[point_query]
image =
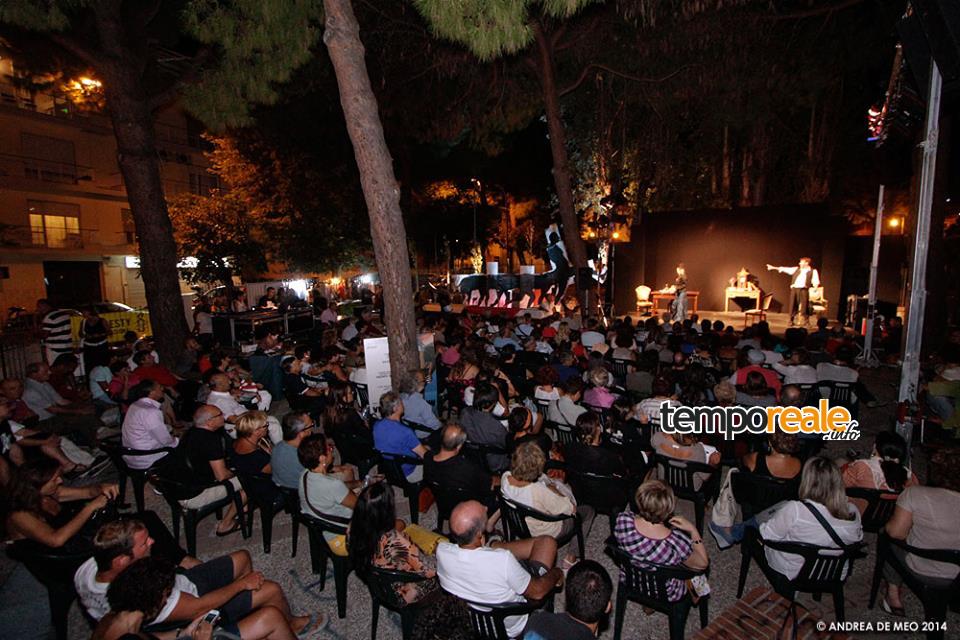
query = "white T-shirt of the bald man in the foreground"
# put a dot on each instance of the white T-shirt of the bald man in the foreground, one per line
(484, 575)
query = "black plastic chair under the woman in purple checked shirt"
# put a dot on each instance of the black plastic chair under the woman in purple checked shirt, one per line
(647, 586)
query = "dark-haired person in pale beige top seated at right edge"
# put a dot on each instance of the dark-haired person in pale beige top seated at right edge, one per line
(925, 518)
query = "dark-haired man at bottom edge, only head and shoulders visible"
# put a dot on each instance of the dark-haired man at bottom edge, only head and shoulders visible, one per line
(587, 597)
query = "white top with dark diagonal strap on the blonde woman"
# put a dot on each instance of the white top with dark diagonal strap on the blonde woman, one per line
(793, 522)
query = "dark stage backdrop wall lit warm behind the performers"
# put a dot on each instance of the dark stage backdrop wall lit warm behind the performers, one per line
(715, 244)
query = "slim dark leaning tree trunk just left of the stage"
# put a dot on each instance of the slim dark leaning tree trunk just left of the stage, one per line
(558, 149)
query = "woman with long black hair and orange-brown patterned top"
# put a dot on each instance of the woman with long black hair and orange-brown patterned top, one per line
(377, 539)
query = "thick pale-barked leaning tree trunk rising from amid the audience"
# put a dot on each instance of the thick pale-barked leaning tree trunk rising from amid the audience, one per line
(380, 189)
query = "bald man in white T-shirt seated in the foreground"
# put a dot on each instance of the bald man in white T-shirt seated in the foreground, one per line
(477, 572)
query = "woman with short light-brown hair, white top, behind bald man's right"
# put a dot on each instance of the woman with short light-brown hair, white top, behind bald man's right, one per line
(527, 484)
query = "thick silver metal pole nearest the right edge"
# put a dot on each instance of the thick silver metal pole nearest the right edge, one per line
(910, 371)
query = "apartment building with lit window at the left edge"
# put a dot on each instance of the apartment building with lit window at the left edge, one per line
(66, 232)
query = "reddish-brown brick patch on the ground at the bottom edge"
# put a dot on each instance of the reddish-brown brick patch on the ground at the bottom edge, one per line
(759, 615)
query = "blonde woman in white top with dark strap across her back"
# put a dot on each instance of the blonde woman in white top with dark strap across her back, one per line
(822, 489)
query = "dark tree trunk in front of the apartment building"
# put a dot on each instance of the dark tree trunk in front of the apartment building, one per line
(132, 120)
